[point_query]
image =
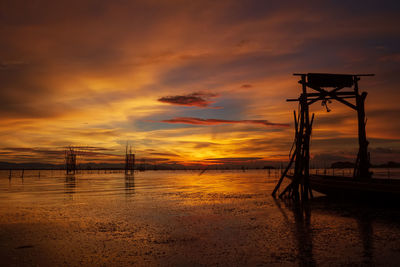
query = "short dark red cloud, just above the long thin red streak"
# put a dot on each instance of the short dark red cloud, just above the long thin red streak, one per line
(199, 99)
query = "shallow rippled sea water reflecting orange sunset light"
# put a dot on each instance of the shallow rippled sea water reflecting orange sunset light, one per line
(184, 218)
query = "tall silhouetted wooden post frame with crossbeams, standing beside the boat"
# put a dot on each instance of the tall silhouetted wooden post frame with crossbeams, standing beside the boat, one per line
(299, 186)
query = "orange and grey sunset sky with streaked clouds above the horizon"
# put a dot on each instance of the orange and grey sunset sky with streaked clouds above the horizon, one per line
(191, 81)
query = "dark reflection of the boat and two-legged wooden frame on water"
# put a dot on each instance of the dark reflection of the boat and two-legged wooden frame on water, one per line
(302, 227)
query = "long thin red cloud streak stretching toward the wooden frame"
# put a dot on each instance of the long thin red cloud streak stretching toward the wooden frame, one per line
(199, 121)
